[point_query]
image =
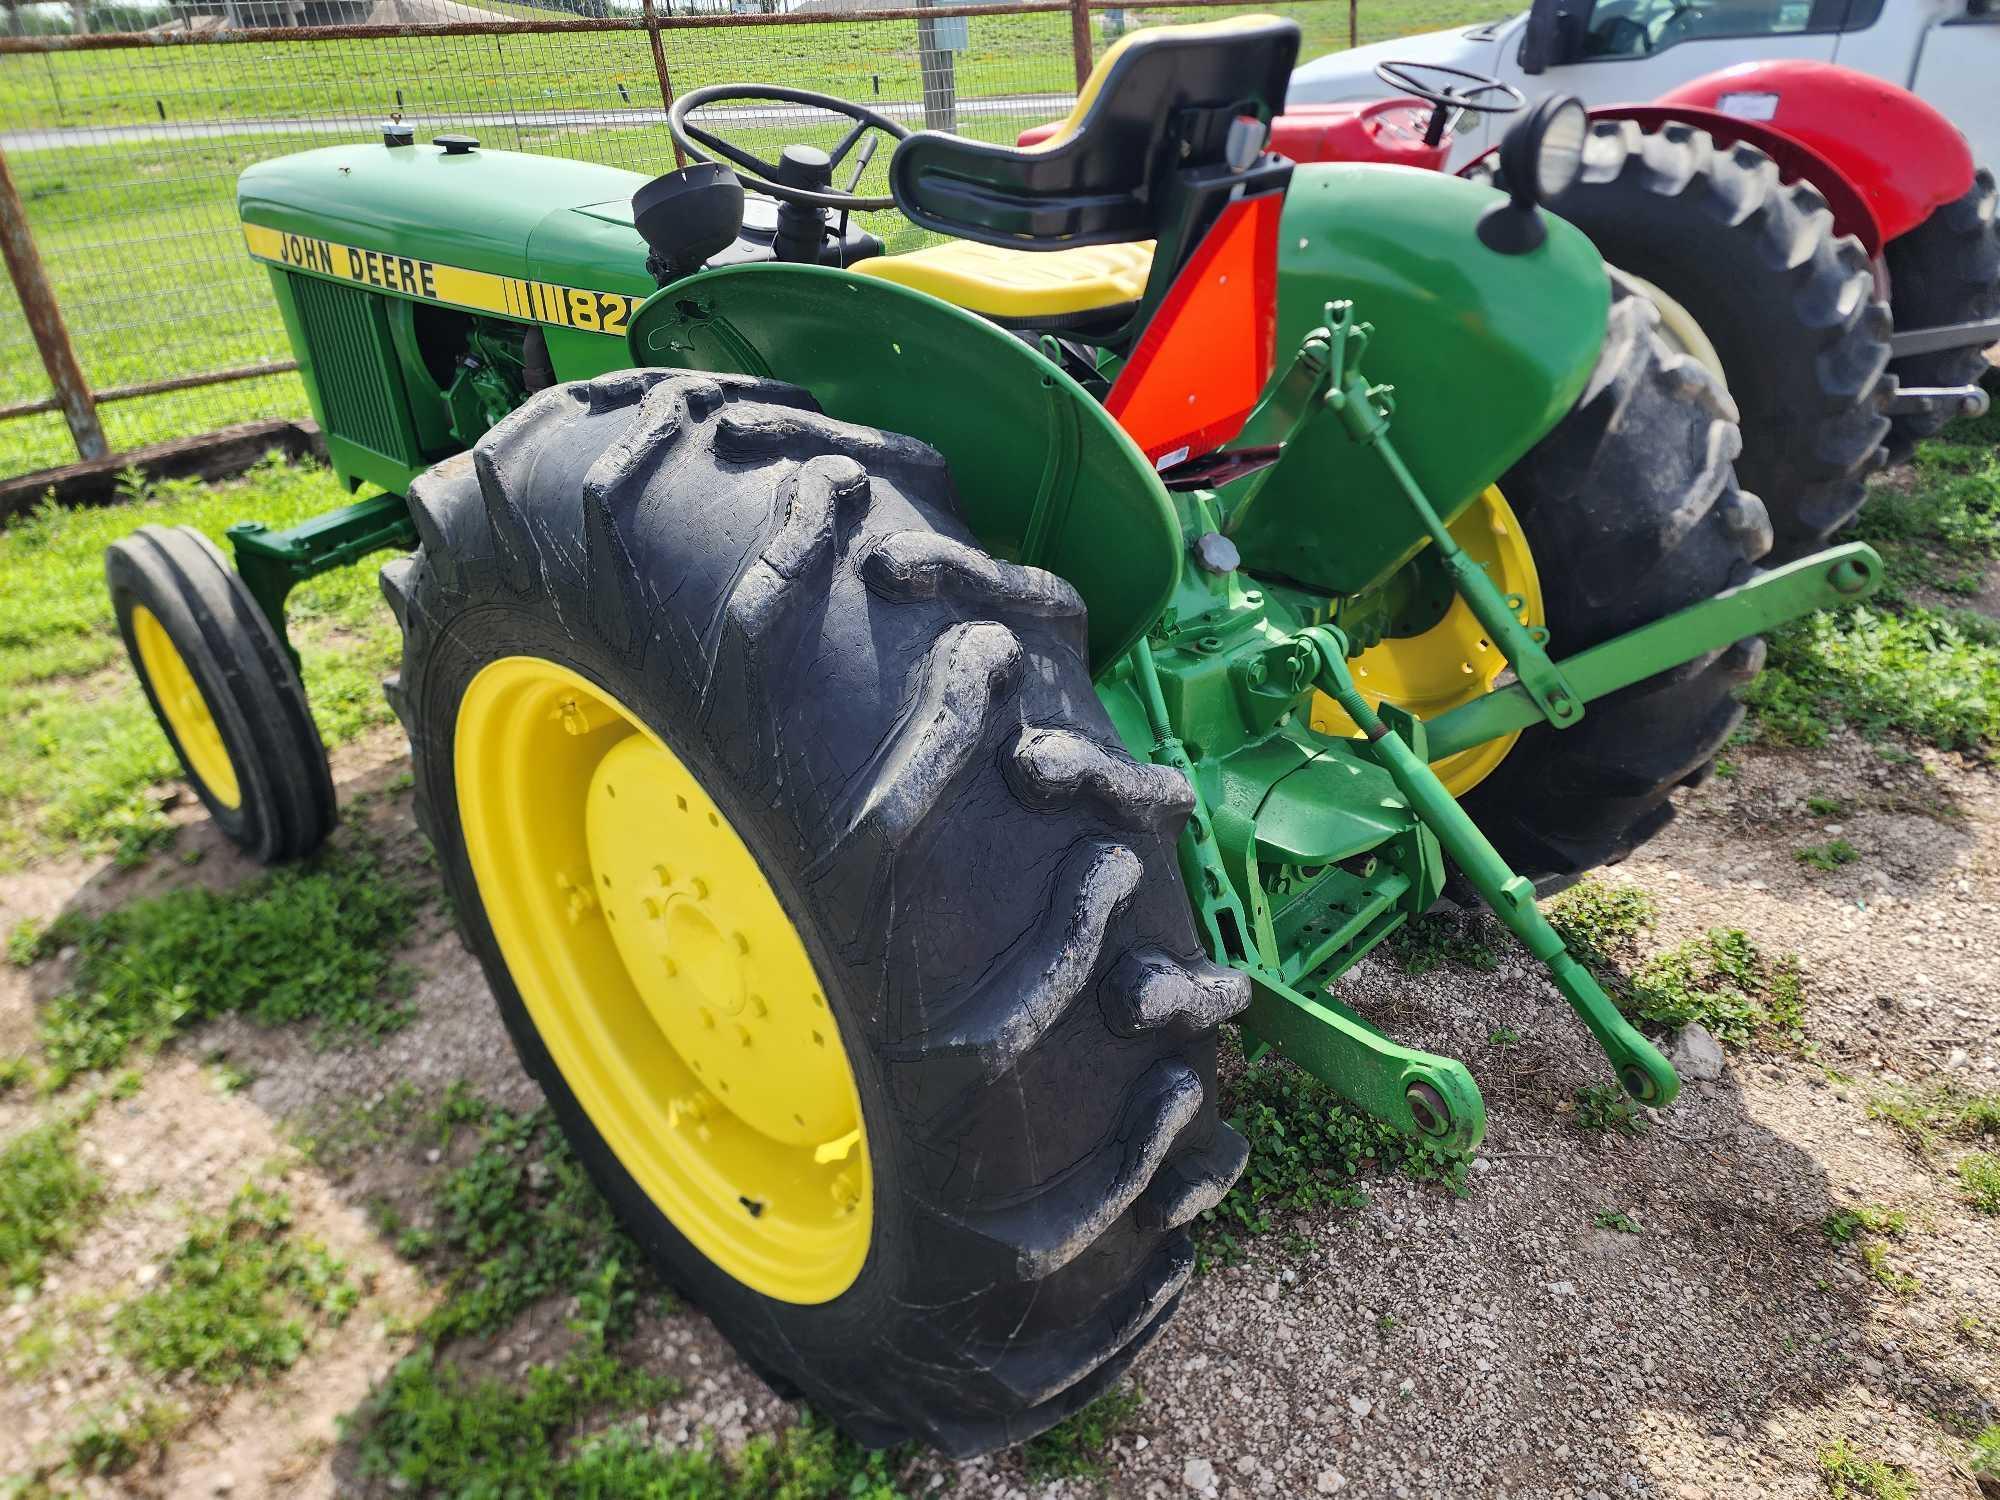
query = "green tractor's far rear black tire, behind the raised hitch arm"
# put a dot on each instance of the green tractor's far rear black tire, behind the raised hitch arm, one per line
(1631, 511)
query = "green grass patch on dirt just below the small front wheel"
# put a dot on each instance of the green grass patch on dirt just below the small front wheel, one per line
(307, 943)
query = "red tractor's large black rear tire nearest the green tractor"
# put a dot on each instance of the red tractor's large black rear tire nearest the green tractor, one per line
(1787, 305)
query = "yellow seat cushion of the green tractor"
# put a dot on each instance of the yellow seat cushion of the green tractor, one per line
(1001, 283)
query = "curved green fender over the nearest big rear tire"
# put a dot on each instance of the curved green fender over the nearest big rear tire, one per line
(1043, 473)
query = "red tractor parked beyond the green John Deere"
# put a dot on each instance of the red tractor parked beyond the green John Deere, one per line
(1813, 235)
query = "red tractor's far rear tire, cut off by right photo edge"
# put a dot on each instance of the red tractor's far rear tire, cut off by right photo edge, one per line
(1941, 273)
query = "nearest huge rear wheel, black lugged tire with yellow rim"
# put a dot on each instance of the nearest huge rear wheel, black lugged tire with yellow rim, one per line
(819, 895)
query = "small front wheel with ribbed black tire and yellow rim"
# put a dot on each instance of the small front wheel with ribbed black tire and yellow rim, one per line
(225, 691)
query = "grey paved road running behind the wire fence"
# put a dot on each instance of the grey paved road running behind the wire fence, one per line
(349, 127)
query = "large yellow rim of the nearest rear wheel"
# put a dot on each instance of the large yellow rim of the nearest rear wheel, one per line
(665, 979)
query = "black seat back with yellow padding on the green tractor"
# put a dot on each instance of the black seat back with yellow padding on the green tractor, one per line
(1095, 181)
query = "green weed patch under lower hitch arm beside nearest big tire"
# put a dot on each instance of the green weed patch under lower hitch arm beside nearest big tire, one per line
(1307, 1151)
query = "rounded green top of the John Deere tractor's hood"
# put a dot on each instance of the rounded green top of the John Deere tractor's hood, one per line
(485, 211)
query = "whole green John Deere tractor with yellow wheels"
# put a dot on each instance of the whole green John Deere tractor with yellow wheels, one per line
(865, 705)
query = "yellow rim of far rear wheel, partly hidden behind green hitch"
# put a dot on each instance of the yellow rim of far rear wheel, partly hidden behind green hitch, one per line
(1453, 663)
